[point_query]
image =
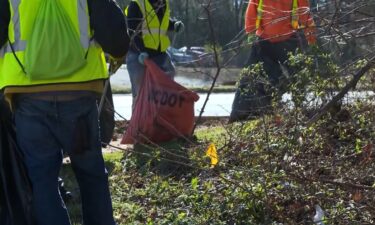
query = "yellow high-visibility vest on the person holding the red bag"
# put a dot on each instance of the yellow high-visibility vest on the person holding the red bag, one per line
(154, 31)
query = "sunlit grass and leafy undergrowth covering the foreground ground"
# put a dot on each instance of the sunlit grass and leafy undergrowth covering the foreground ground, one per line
(269, 172)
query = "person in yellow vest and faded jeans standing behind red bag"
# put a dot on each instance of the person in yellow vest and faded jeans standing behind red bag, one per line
(148, 24)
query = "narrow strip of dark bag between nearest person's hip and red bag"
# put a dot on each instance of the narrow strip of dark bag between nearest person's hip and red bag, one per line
(107, 118)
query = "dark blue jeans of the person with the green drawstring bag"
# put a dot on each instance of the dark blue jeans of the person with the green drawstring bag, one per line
(46, 129)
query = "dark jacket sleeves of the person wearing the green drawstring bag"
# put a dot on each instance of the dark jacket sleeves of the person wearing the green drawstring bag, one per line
(106, 19)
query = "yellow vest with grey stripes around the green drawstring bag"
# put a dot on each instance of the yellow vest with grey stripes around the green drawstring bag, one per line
(12, 54)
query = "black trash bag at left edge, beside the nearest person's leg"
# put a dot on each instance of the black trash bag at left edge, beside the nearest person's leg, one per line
(15, 187)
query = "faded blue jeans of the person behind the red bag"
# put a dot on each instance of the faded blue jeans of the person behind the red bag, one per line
(136, 70)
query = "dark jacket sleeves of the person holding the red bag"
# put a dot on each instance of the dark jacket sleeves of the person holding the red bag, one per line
(134, 20)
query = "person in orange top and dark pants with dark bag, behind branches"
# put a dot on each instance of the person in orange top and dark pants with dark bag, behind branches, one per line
(280, 27)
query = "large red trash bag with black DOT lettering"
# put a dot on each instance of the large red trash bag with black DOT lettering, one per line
(163, 109)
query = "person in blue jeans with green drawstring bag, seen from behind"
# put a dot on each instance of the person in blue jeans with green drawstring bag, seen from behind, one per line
(52, 70)
